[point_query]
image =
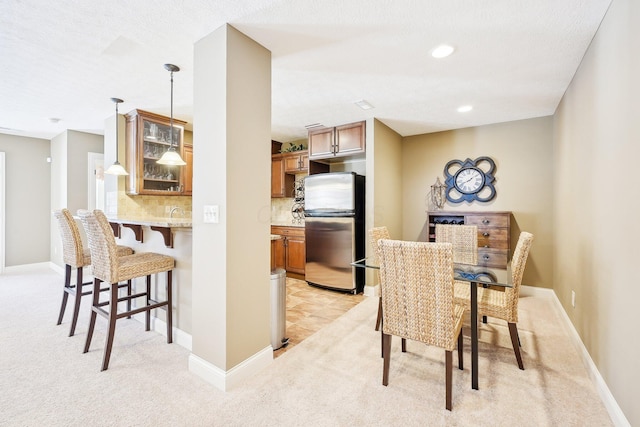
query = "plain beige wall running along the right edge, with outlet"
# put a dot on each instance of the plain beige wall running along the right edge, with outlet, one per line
(597, 201)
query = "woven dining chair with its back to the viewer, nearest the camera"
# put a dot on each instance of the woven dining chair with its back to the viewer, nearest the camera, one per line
(417, 300)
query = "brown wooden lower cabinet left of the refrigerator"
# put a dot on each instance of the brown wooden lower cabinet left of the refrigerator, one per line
(290, 251)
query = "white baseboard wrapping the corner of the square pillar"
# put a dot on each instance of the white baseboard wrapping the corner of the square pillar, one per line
(227, 380)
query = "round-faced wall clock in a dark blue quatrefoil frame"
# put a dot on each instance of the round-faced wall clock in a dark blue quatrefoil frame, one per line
(470, 180)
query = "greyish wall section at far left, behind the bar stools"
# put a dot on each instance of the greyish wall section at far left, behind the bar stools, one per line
(27, 199)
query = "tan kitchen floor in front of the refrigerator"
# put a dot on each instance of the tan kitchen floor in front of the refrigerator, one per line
(310, 308)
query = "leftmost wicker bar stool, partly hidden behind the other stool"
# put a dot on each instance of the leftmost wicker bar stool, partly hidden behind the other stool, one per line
(75, 255)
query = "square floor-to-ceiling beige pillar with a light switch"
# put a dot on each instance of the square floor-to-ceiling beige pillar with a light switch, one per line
(231, 262)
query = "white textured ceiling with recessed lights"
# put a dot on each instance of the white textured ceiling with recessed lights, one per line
(513, 60)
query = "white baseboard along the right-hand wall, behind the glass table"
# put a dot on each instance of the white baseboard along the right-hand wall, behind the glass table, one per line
(615, 412)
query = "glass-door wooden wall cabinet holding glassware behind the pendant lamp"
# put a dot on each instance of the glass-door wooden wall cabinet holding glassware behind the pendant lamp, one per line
(148, 137)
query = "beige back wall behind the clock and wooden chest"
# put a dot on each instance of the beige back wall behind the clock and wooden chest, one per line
(523, 153)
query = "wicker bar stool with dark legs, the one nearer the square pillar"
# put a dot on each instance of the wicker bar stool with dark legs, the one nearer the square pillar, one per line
(109, 268)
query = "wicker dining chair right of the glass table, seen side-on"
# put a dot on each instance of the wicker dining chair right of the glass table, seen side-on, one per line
(502, 304)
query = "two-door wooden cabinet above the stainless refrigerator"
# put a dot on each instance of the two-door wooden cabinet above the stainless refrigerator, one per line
(339, 141)
